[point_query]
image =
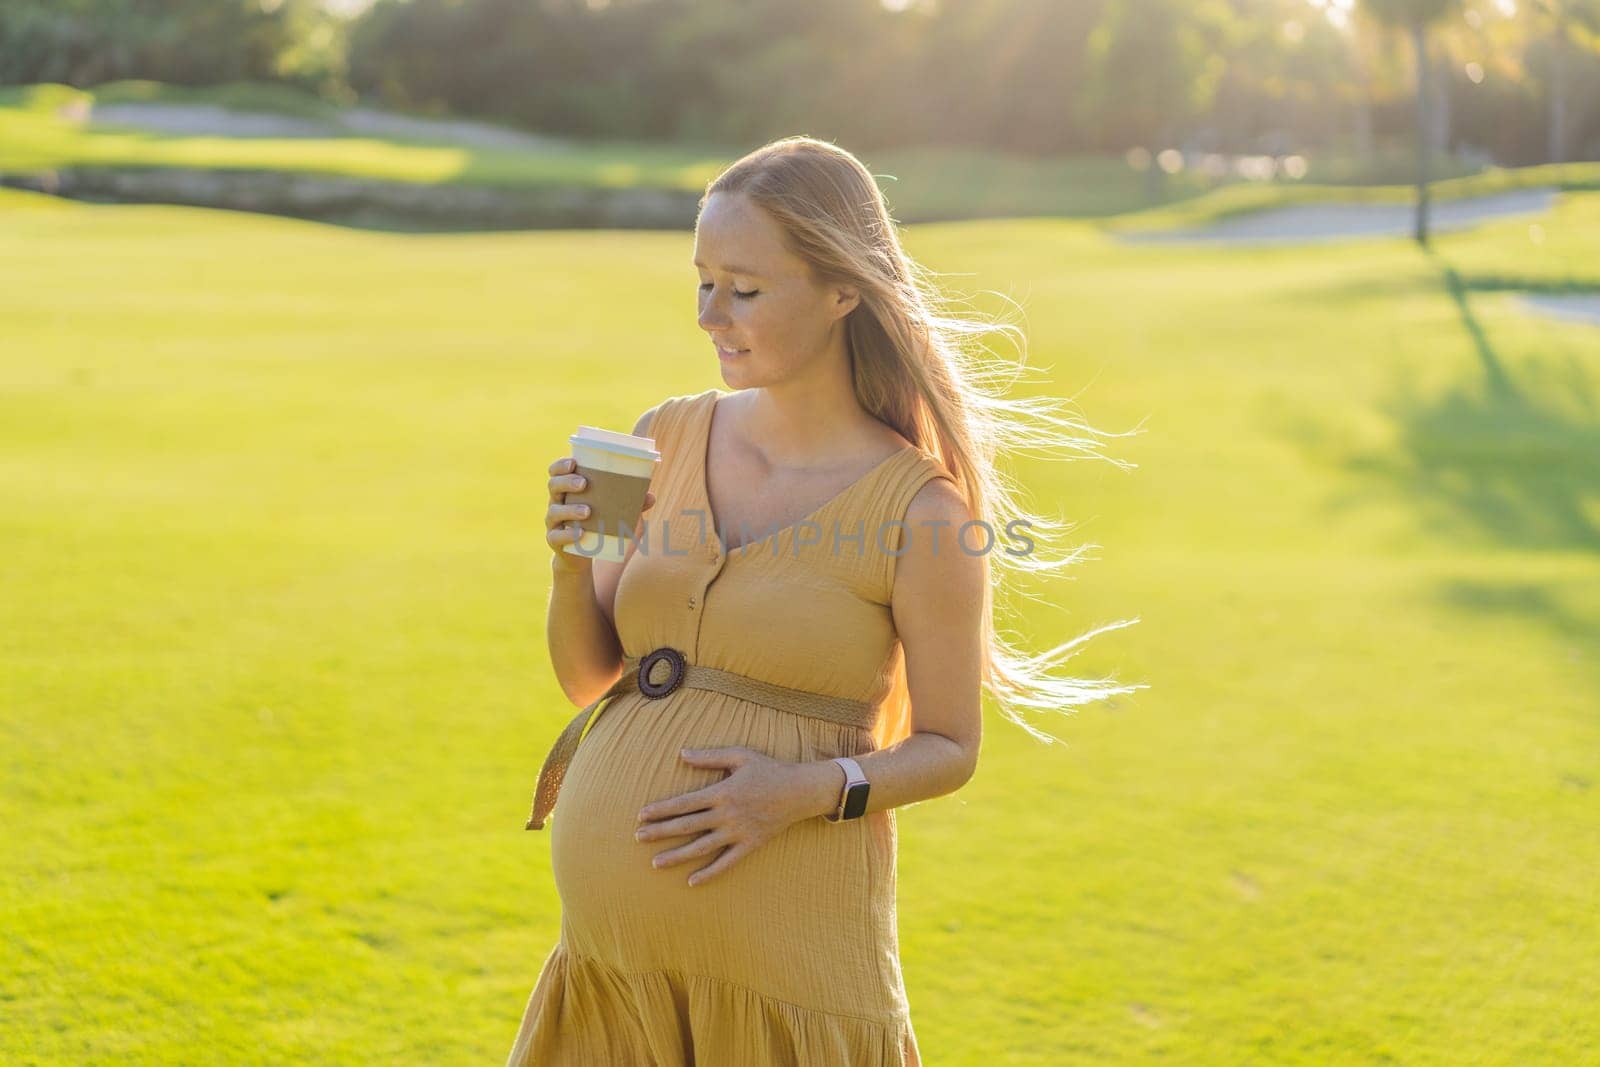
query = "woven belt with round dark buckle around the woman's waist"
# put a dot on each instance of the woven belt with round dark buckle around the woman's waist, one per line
(665, 671)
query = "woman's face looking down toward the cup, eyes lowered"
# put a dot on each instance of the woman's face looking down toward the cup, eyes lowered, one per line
(759, 303)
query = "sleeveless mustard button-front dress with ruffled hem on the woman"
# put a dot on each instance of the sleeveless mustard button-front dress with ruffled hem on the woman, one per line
(791, 957)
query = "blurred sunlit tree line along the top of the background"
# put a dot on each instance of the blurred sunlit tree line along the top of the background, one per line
(1513, 81)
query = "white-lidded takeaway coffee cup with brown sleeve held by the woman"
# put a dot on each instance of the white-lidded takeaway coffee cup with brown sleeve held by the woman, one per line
(618, 470)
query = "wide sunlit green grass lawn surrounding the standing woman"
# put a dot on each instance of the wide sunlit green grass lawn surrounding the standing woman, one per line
(274, 687)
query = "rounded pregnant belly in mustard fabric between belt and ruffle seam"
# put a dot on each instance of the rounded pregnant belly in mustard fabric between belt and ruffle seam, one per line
(818, 877)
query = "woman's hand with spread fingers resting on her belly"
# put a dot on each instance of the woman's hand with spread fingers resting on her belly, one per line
(759, 799)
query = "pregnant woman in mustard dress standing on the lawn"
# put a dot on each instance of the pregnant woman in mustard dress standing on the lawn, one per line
(794, 647)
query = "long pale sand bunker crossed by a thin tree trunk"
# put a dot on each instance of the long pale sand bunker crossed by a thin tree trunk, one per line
(1340, 222)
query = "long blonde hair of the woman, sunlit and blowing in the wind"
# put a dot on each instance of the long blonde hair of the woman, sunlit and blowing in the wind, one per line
(919, 370)
